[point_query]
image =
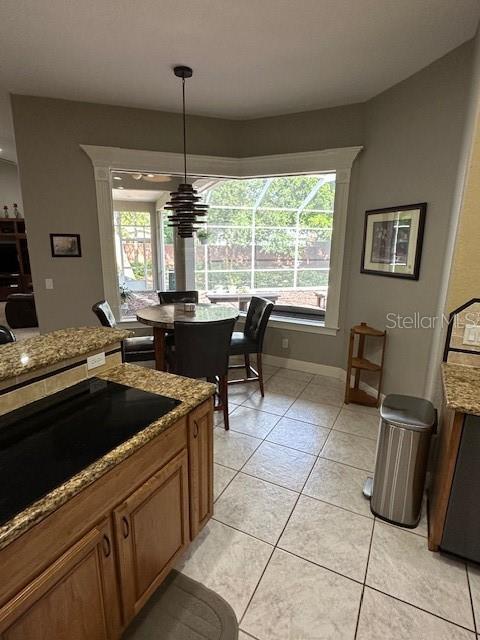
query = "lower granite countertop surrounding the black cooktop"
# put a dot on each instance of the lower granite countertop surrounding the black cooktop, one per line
(191, 393)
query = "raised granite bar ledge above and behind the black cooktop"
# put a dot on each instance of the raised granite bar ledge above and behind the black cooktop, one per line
(18, 358)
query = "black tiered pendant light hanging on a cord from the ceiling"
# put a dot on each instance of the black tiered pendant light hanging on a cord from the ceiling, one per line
(185, 204)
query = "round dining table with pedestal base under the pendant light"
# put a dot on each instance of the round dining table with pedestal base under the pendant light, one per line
(162, 318)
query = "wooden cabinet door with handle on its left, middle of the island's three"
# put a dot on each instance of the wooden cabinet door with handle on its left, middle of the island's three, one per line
(152, 529)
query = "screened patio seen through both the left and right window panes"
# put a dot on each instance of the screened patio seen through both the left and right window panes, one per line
(265, 236)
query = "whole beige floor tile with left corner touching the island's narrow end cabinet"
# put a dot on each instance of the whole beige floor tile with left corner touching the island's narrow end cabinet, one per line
(255, 507)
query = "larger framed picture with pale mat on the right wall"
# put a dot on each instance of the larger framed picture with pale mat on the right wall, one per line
(392, 241)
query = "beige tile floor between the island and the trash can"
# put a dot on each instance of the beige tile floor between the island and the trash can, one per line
(293, 546)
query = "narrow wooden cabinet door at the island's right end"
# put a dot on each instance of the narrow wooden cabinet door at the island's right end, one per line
(200, 460)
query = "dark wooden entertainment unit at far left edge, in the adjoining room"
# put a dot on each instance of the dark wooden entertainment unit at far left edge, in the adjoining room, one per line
(15, 274)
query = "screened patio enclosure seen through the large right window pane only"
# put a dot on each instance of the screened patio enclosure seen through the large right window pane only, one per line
(268, 235)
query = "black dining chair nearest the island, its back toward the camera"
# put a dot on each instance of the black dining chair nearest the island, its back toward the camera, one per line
(201, 351)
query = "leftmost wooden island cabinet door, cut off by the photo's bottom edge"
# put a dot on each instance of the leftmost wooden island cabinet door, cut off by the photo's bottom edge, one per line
(75, 598)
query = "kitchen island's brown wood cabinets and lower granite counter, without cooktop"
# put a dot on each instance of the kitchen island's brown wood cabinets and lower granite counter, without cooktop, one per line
(81, 561)
